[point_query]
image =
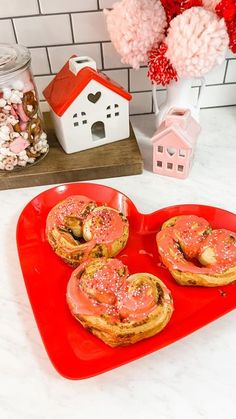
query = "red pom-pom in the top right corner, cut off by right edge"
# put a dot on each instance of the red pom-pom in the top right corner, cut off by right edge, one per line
(227, 10)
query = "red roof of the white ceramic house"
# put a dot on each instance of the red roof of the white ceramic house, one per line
(66, 86)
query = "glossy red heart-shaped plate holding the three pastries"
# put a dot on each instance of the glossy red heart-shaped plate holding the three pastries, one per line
(81, 354)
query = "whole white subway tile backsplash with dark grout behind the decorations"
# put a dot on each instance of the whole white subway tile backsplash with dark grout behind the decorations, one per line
(53, 36)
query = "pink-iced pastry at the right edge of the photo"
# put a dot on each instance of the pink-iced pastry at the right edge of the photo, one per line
(195, 254)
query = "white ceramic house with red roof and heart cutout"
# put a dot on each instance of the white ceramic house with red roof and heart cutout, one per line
(88, 109)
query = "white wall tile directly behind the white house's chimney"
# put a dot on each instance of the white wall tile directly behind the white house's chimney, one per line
(59, 55)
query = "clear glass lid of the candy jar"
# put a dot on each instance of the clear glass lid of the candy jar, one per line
(13, 58)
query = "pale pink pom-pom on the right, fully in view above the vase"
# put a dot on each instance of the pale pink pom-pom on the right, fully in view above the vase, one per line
(197, 41)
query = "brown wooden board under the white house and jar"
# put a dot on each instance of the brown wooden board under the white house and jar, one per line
(121, 158)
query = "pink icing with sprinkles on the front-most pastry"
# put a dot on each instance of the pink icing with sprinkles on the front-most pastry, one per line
(107, 292)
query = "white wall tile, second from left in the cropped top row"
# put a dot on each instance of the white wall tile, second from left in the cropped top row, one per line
(57, 6)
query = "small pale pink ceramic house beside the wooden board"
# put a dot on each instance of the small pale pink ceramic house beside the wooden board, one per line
(174, 143)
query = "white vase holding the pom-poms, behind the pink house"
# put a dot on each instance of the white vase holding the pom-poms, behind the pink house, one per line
(179, 95)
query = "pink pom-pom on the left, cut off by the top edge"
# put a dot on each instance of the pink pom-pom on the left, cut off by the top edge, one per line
(134, 27)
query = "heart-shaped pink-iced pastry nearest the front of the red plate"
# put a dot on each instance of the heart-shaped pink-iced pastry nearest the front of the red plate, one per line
(118, 308)
